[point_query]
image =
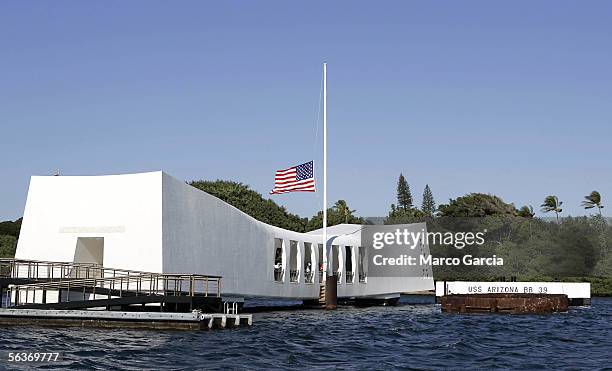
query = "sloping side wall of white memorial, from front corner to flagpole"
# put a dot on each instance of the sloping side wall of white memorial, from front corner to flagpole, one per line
(203, 234)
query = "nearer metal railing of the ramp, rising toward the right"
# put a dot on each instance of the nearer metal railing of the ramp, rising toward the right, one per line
(146, 284)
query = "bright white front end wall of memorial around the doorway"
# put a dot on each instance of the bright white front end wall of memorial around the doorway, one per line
(123, 209)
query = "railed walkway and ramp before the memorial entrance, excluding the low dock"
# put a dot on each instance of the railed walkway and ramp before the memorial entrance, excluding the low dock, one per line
(60, 285)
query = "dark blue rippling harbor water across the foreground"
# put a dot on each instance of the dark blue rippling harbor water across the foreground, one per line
(413, 335)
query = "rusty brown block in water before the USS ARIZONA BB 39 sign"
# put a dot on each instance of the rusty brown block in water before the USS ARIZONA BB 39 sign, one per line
(505, 303)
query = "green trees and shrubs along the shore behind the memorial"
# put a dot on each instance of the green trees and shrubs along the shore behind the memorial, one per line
(565, 249)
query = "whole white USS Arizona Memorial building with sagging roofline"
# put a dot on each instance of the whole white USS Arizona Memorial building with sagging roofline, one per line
(155, 223)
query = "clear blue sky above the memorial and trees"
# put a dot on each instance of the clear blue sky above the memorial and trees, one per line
(511, 98)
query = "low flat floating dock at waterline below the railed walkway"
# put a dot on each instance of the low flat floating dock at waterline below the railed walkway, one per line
(195, 320)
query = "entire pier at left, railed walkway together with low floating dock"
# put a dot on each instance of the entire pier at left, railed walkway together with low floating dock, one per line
(89, 295)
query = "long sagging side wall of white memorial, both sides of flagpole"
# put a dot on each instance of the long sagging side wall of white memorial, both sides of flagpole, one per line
(203, 234)
